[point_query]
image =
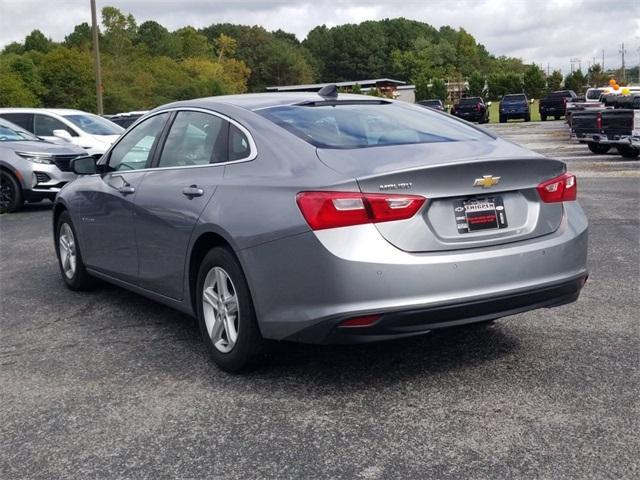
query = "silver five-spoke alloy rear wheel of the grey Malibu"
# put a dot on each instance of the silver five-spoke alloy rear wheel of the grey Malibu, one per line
(221, 309)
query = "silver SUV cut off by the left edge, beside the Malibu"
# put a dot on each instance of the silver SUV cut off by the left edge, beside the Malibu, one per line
(31, 169)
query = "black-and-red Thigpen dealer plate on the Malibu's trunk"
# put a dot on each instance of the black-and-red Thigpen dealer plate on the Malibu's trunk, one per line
(480, 213)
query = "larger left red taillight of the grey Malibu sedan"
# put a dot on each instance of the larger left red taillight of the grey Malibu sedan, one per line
(341, 209)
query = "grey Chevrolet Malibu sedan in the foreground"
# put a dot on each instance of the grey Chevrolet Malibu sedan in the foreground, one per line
(321, 219)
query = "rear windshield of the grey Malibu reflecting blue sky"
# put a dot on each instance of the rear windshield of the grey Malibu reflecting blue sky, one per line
(368, 124)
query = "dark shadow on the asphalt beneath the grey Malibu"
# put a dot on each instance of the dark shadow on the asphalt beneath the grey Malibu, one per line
(360, 364)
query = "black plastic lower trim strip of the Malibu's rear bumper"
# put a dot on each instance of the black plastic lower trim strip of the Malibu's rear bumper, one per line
(415, 322)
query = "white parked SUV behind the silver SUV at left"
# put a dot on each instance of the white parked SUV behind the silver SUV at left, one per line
(91, 132)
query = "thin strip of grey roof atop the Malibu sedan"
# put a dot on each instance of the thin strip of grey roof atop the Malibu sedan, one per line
(257, 101)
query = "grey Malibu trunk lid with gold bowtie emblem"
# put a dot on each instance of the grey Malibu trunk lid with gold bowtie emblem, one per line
(460, 180)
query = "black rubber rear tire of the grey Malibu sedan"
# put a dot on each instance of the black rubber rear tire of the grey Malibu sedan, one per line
(250, 349)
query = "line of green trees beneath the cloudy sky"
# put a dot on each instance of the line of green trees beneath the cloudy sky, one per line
(145, 65)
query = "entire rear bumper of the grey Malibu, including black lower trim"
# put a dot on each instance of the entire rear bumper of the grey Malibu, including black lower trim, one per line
(305, 285)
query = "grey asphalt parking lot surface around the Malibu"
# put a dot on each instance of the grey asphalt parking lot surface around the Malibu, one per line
(110, 385)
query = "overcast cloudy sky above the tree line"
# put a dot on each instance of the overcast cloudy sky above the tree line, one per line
(541, 31)
